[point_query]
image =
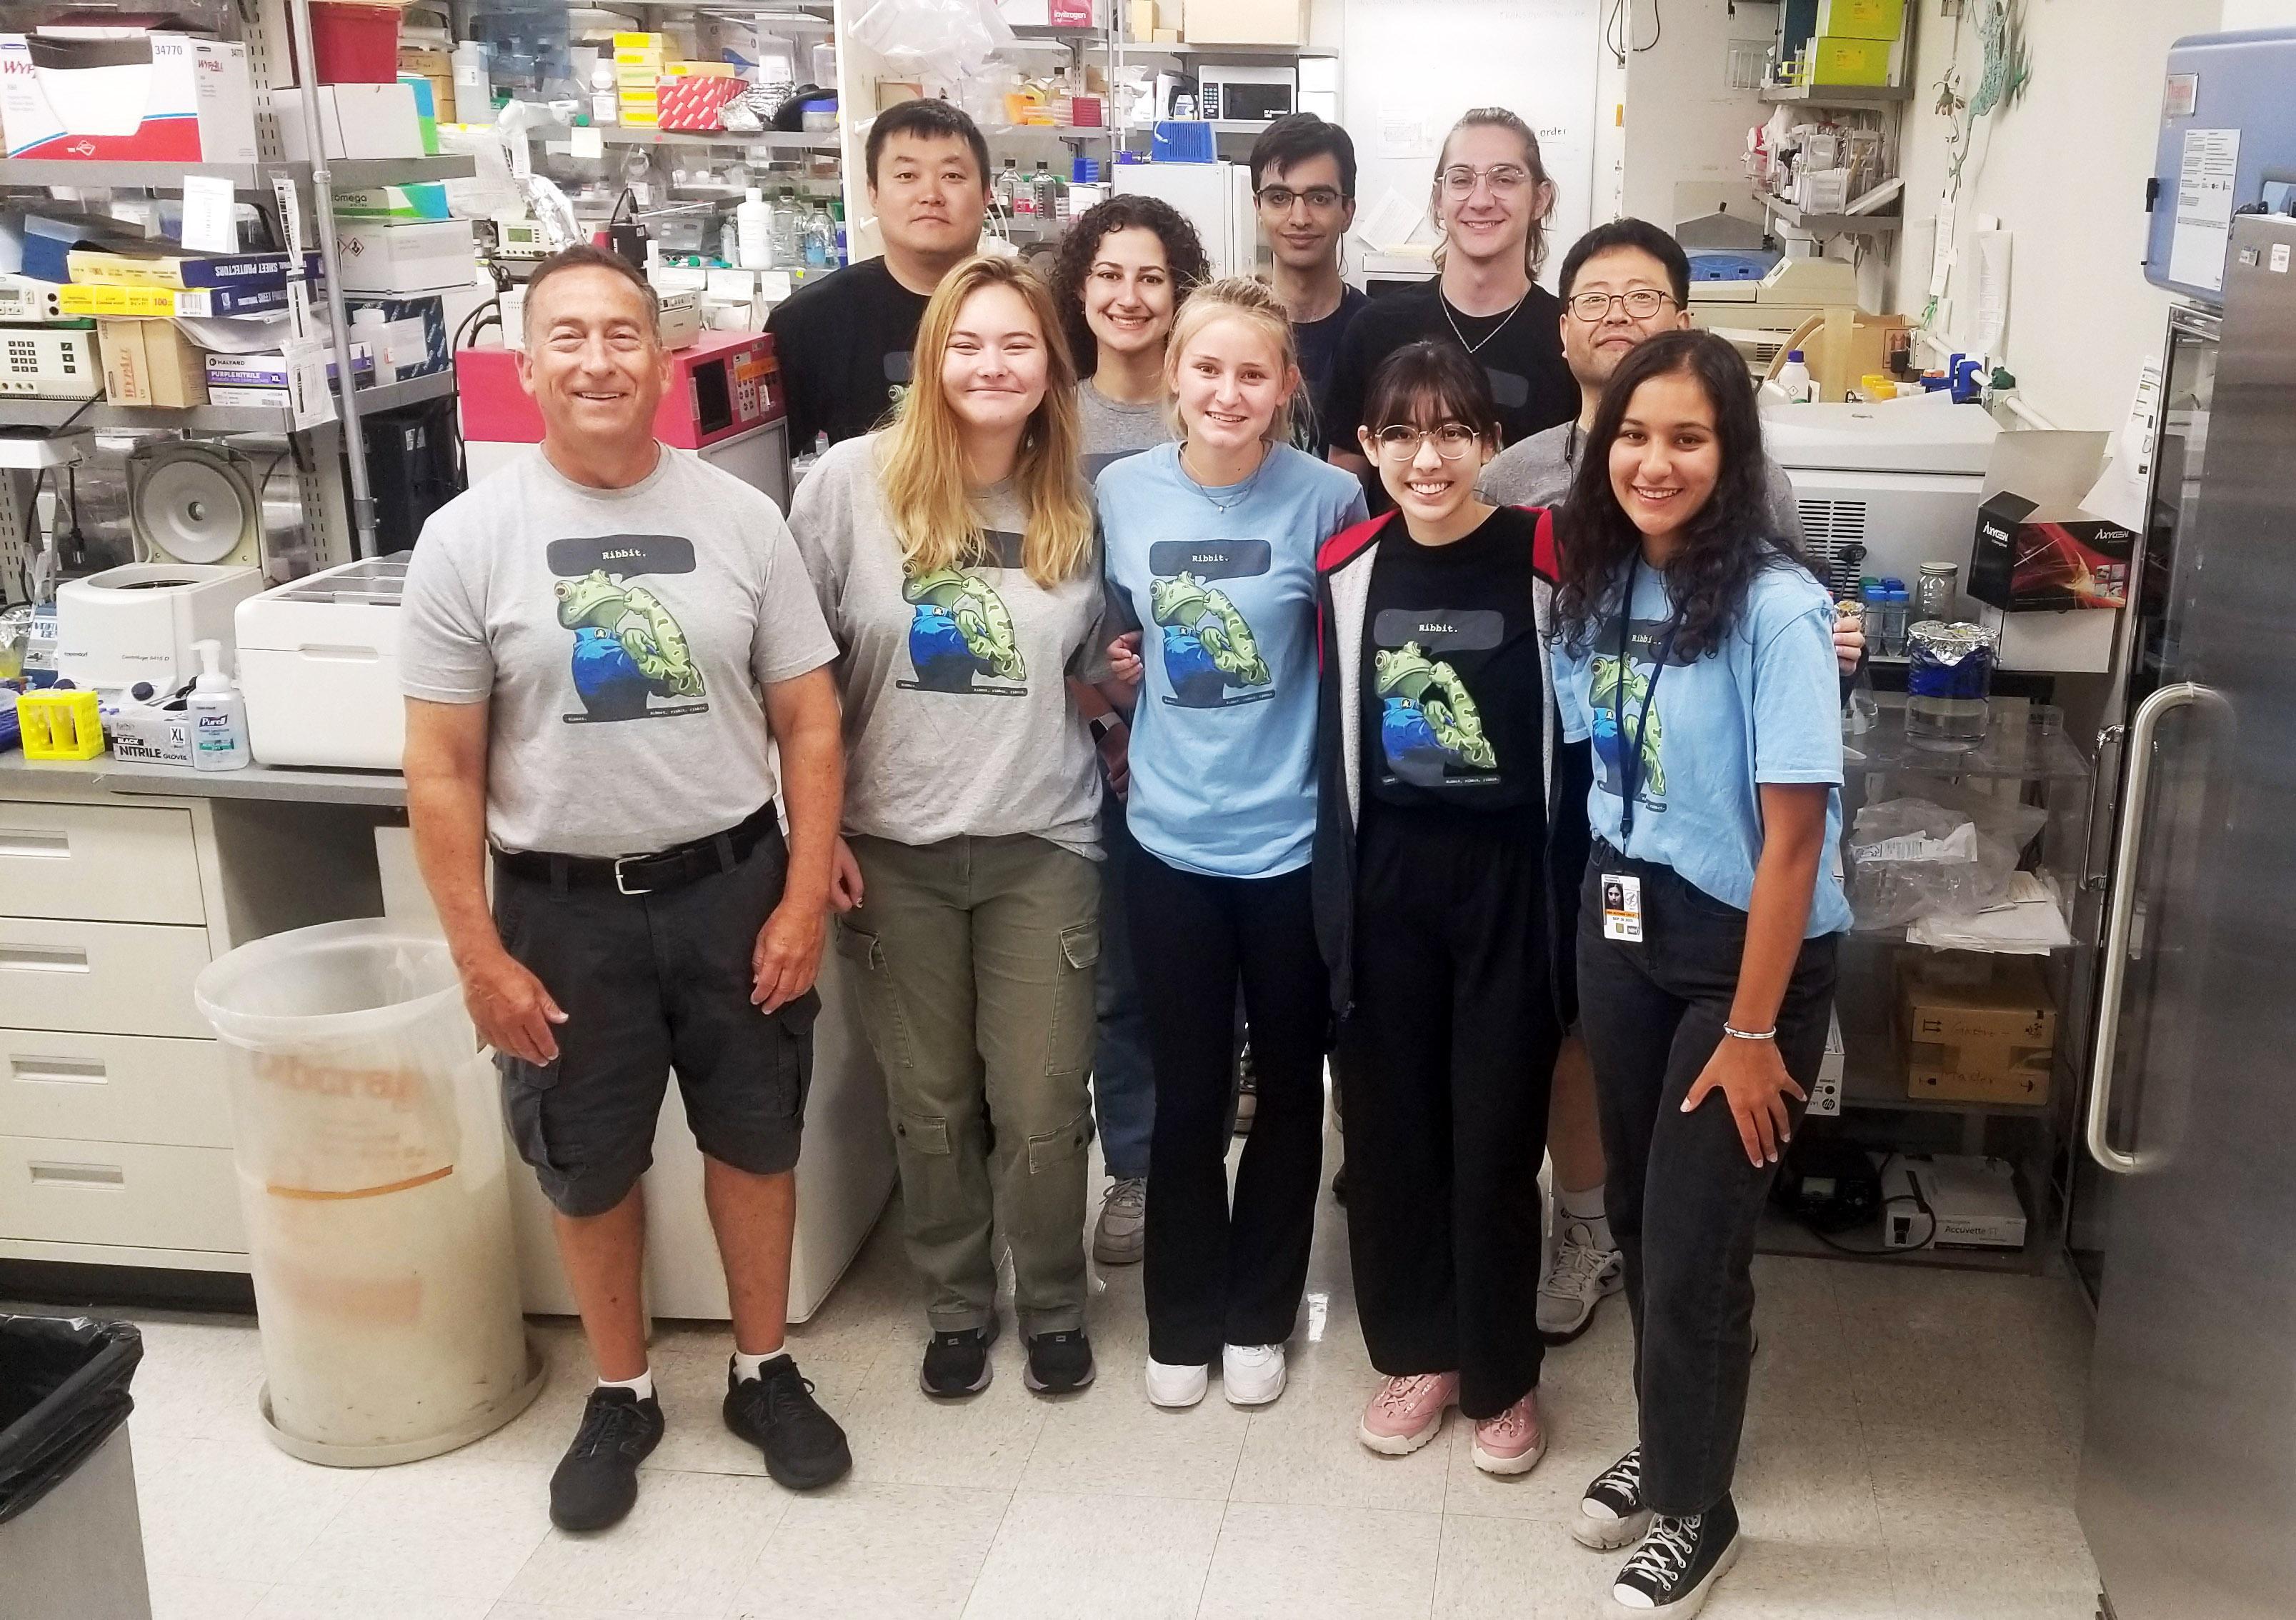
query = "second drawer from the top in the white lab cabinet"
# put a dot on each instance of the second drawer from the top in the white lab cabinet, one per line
(107, 979)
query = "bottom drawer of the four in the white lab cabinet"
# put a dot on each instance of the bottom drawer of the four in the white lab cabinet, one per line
(121, 1194)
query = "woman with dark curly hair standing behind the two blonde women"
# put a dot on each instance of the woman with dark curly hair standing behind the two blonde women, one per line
(1119, 281)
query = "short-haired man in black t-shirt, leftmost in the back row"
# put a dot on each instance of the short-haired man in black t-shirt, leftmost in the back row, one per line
(844, 341)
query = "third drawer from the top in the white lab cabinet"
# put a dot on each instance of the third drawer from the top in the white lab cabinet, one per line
(114, 1089)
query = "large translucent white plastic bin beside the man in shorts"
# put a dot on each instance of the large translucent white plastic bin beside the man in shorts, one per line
(371, 1174)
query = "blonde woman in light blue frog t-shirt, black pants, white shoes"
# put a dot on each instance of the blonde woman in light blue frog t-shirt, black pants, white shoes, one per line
(1211, 547)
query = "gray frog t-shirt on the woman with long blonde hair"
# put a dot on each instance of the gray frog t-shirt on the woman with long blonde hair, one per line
(956, 685)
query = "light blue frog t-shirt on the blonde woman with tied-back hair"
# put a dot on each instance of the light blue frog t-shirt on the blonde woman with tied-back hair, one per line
(1223, 584)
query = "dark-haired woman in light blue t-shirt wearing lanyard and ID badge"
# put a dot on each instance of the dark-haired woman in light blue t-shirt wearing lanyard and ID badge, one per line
(1698, 653)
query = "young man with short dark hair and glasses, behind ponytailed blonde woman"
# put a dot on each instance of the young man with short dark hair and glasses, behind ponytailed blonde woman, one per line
(1303, 176)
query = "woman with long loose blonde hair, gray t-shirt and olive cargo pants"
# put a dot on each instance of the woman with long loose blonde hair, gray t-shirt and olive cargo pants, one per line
(956, 563)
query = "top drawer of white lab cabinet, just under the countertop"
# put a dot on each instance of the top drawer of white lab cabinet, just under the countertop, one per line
(102, 864)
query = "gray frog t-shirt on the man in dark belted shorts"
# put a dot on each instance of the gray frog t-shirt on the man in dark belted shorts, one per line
(623, 639)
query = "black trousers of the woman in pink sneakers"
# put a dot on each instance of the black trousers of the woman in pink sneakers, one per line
(1445, 1068)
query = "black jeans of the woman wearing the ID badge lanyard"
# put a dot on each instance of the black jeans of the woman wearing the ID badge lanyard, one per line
(1682, 1194)
